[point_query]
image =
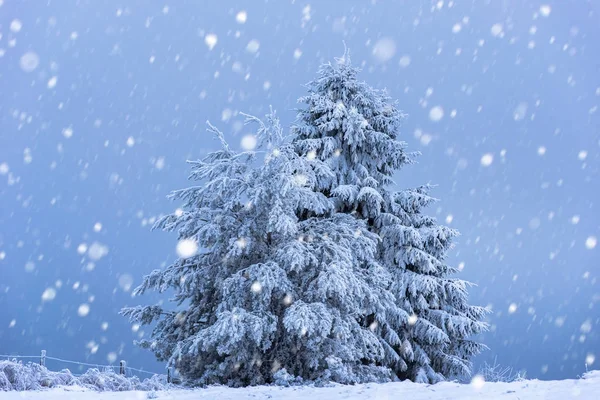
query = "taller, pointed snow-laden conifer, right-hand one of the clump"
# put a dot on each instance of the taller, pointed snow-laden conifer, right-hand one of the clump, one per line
(353, 128)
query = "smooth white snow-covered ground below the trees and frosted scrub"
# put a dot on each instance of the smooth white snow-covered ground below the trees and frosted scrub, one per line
(587, 388)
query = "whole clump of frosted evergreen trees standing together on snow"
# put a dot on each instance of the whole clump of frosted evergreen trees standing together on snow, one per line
(300, 263)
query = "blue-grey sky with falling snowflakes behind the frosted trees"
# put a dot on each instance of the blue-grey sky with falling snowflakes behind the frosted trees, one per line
(101, 103)
